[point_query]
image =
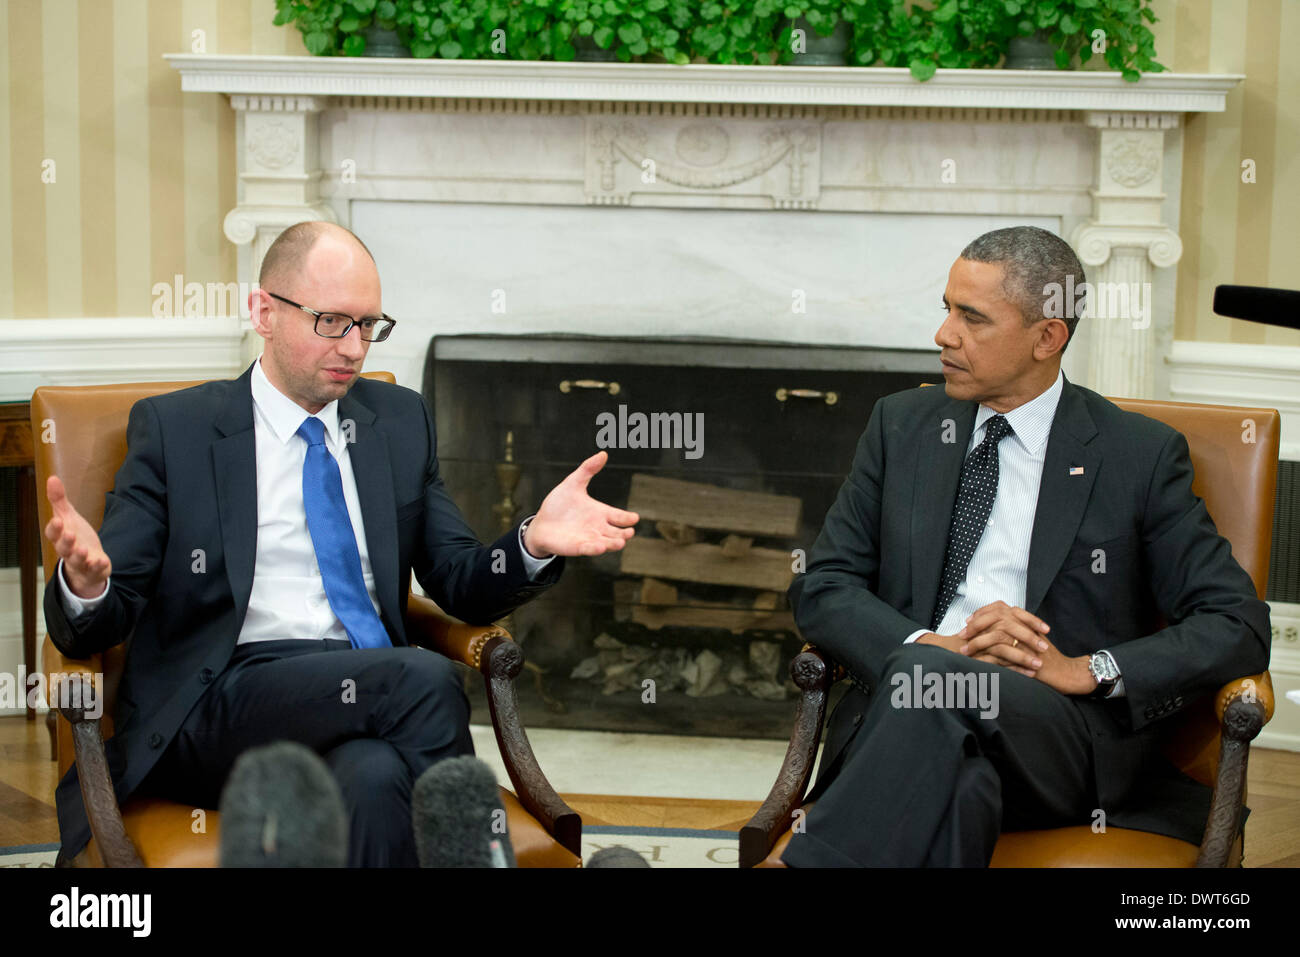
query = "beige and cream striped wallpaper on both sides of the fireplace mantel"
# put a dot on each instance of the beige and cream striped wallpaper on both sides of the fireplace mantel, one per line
(144, 174)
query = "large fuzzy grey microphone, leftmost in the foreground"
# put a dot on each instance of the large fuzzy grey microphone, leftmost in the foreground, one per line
(283, 808)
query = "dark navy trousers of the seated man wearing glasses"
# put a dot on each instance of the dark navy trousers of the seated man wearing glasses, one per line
(380, 717)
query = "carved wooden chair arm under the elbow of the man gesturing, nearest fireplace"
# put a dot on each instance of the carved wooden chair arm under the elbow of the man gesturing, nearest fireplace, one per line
(492, 652)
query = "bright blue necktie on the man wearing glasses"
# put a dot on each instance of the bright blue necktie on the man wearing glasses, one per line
(336, 544)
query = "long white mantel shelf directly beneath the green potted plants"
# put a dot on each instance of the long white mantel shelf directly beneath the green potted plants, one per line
(515, 80)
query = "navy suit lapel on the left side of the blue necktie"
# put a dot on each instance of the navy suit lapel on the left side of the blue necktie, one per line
(235, 465)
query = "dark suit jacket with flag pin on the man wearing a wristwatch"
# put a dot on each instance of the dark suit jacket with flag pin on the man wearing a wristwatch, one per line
(873, 579)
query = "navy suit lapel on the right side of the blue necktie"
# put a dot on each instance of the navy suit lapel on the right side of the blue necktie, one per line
(369, 453)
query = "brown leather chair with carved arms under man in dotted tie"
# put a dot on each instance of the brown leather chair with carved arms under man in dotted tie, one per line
(1210, 743)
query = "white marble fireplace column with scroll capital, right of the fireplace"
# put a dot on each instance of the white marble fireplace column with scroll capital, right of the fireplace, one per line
(1123, 245)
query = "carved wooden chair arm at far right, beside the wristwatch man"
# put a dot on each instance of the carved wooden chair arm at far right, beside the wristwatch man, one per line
(1243, 708)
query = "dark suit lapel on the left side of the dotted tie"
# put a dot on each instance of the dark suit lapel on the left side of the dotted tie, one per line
(939, 469)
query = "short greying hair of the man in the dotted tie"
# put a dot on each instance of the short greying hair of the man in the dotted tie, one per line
(1034, 259)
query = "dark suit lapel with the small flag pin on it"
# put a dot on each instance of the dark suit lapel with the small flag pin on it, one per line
(1063, 496)
